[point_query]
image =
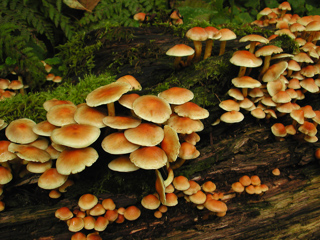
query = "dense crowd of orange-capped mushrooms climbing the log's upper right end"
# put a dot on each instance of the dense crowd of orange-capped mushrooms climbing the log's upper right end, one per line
(276, 89)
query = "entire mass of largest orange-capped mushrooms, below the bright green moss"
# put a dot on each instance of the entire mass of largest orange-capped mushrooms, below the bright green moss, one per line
(149, 132)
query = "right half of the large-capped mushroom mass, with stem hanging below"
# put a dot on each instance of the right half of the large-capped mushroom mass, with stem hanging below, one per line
(155, 132)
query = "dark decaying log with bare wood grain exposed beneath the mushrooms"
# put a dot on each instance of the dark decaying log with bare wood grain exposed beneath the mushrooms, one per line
(290, 209)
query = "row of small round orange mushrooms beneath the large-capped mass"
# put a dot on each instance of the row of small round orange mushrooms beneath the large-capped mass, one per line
(93, 214)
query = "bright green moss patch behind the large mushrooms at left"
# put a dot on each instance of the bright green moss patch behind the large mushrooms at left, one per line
(30, 105)
